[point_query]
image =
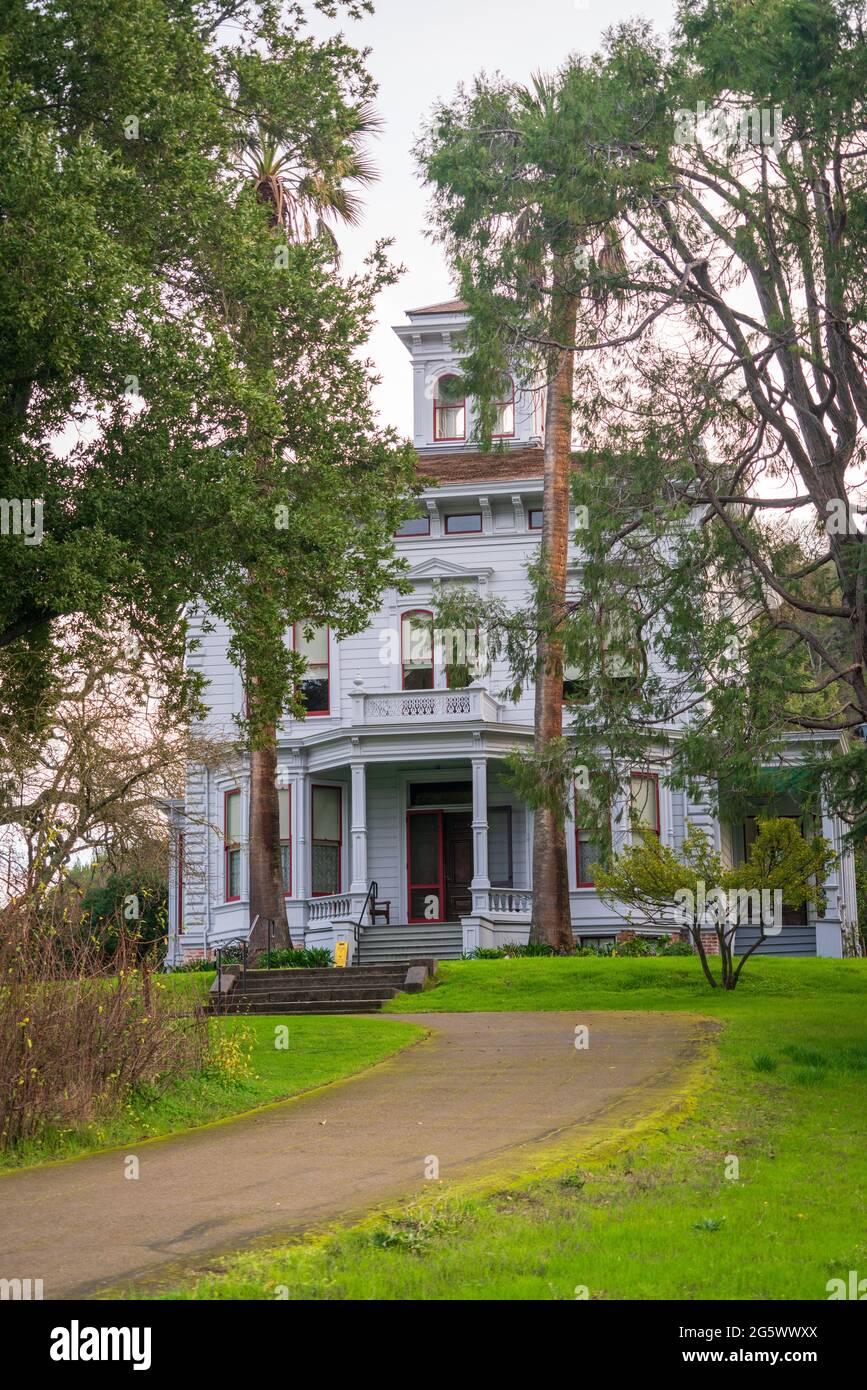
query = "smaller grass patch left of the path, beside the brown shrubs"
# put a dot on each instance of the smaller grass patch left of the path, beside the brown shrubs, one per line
(319, 1050)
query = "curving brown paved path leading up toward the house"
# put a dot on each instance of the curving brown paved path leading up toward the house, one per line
(479, 1093)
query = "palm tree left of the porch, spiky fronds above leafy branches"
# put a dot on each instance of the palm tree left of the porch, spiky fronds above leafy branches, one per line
(302, 204)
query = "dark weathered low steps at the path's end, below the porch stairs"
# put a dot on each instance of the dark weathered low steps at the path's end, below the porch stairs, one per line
(354, 990)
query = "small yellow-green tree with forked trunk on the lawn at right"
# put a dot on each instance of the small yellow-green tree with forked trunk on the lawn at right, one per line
(657, 882)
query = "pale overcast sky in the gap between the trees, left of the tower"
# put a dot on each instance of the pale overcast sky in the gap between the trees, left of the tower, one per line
(420, 52)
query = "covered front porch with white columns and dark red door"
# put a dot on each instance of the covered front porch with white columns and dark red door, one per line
(429, 843)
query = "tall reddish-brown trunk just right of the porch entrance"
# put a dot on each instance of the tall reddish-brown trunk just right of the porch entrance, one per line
(551, 904)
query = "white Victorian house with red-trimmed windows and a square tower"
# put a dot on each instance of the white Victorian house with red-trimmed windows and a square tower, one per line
(397, 778)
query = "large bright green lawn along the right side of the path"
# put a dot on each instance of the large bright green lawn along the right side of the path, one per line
(787, 1097)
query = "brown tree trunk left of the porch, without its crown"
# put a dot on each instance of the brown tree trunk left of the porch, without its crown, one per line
(267, 899)
